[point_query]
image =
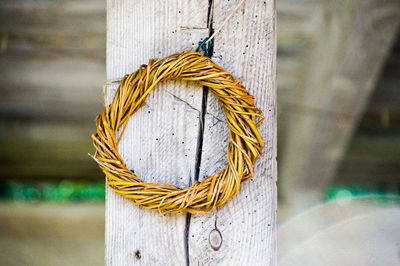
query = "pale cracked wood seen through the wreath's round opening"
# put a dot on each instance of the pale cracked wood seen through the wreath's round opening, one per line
(161, 139)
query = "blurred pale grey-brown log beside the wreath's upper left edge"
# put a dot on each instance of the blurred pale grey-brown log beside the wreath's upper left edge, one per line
(50, 86)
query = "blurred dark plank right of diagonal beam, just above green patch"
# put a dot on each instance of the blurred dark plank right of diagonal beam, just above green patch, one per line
(372, 160)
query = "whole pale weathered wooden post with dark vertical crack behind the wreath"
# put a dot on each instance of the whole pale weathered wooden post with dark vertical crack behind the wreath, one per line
(163, 139)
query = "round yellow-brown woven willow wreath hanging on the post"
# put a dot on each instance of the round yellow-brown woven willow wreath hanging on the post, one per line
(244, 146)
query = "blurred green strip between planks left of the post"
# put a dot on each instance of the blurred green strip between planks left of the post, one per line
(60, 191)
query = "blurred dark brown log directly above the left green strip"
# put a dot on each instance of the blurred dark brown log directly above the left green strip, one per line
(63, 151)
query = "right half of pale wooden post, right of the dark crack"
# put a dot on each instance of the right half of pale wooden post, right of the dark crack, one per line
(242, 232)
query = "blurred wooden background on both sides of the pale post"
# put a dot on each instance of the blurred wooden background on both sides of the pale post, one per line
(338, 131)
